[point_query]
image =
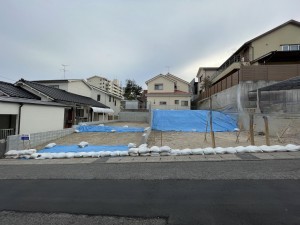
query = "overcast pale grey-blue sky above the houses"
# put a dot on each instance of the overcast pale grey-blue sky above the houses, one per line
(128, 39)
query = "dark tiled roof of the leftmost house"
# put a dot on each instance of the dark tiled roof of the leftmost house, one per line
(14, 91)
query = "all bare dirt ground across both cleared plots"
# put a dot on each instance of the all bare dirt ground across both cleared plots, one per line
(176, 140)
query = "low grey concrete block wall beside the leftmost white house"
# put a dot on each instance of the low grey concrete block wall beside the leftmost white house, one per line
(14, 142)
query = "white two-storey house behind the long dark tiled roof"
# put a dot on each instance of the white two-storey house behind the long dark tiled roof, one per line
(82, 87)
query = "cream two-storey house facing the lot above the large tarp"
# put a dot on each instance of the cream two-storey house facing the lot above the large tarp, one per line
(168, 92)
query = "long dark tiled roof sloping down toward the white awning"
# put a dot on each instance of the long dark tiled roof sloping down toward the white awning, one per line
(61, 95)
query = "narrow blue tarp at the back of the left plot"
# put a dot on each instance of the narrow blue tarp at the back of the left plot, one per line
(109, 129)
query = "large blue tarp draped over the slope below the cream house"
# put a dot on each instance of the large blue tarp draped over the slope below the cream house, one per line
(191, 121)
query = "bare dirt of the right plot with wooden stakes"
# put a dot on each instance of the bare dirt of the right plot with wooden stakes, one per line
(180, 140)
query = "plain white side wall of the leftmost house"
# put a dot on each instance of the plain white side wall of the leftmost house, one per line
(38, 118)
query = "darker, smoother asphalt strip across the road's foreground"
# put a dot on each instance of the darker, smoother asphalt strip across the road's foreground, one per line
(181, 201)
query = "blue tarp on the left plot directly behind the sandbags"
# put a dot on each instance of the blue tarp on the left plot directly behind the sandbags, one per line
(89, 148)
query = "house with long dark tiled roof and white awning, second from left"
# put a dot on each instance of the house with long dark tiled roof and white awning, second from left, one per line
(79, 108)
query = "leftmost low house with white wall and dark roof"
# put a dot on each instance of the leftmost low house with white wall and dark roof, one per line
(22, 112)
